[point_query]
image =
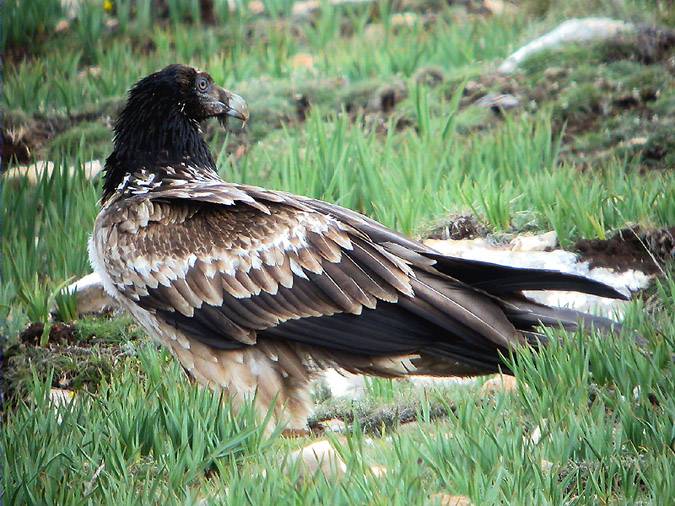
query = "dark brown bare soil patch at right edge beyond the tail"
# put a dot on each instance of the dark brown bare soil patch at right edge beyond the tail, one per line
(632, 248)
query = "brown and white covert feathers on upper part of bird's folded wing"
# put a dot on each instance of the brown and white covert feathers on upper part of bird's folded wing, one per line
(232, 270)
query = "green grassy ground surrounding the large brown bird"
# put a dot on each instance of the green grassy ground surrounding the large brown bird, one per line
(371, 106)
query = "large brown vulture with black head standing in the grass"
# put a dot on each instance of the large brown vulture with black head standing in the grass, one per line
(257, 291)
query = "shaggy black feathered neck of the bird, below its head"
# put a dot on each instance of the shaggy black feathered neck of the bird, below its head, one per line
(156, 144)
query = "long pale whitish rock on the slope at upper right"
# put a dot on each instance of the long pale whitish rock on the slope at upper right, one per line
(573, 30)
